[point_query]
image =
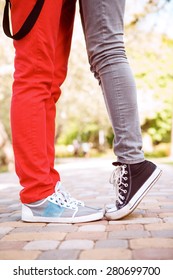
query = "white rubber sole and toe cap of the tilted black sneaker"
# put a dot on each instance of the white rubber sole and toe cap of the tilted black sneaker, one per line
(114, 214)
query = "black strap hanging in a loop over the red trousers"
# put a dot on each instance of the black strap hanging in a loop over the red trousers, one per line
(28, 24)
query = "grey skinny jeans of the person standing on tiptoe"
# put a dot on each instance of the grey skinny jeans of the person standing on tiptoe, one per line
(102, 22)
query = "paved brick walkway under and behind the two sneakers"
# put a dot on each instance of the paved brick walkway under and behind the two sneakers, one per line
(146, 234)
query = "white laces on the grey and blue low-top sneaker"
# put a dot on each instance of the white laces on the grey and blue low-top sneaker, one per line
(64, 199)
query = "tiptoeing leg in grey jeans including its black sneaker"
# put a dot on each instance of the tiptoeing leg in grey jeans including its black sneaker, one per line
(133, 176)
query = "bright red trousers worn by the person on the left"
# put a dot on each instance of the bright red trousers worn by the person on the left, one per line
(40, 68)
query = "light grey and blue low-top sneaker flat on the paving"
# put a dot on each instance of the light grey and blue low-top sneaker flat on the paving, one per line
(60, 207)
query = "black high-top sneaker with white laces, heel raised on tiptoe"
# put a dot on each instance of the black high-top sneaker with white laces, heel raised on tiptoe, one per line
(132, 182)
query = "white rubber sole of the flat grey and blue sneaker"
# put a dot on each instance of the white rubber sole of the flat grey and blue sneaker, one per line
(27, 216)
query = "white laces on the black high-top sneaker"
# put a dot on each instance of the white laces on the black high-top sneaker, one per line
(118, 179)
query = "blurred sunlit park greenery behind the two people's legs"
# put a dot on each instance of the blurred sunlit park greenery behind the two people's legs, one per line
(82, 127)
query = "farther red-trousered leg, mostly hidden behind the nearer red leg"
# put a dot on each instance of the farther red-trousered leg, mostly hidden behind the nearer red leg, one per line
(62, 51)
